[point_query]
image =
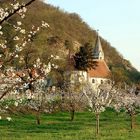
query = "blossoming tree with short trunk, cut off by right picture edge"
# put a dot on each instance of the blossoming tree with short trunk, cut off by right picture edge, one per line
(129, 101)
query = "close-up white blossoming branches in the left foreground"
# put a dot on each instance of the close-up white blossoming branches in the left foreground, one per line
(26, 78)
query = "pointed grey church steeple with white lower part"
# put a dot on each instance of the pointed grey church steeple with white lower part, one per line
(98, 51)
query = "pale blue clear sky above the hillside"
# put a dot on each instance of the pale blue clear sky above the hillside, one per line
(118, 22)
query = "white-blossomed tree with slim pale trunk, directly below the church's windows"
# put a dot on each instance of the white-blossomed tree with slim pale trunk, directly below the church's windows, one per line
(99, 98)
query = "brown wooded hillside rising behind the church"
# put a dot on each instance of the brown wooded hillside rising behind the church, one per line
(69, 30)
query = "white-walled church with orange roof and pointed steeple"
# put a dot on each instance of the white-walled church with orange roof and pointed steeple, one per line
(98, 75)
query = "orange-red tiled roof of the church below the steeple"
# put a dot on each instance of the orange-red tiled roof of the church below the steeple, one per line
(100, 71)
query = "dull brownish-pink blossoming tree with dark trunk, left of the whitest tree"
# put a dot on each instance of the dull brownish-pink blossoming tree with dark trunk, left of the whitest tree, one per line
(73, 97)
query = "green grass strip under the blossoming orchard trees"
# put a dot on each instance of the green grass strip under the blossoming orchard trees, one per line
(58, 127)
